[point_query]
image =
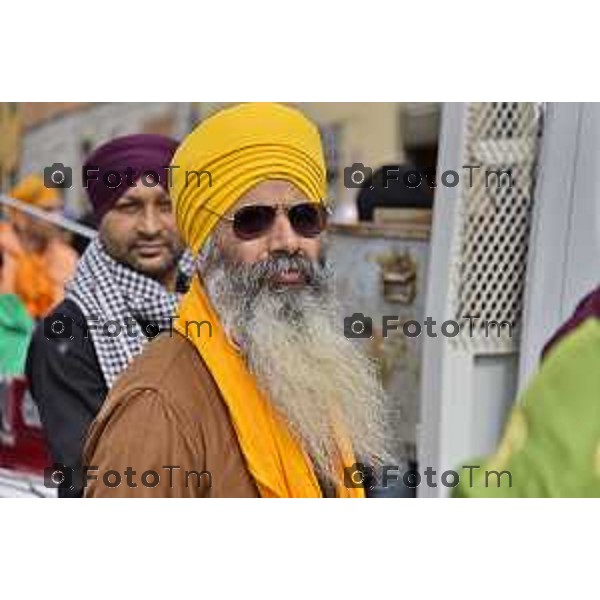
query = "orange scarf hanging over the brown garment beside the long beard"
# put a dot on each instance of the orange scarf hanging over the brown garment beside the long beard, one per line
(279, 466)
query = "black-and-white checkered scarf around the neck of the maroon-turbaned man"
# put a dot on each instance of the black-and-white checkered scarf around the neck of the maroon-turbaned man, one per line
(110, 293)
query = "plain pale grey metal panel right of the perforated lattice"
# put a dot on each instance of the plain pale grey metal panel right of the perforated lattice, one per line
(564, 256)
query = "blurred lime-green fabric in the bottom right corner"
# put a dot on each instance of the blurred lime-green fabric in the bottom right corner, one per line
(551, 444)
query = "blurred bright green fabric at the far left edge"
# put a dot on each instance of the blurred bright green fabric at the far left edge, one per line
(15, 331)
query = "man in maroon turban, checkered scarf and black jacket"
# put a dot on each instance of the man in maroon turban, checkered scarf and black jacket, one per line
(124, 291)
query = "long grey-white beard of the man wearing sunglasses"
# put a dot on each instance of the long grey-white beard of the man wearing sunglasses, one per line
(293, 343)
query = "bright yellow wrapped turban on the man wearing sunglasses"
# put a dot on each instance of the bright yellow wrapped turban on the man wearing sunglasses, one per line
(241, 147)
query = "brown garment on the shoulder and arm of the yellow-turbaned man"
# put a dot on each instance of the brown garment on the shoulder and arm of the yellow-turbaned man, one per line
(165, 415)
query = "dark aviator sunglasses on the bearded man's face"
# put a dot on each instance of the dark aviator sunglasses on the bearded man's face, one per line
(307, 219)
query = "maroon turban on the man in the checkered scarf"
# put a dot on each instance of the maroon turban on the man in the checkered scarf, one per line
(115, 166)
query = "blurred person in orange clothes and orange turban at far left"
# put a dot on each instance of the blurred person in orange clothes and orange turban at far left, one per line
(37, 262)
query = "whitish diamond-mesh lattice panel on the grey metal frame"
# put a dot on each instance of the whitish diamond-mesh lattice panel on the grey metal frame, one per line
(492, 242)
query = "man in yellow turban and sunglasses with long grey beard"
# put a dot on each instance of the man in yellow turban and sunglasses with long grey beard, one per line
(256, 391)
